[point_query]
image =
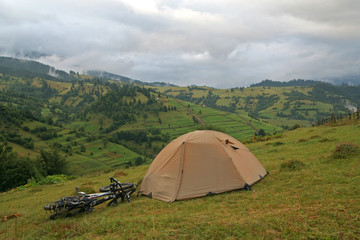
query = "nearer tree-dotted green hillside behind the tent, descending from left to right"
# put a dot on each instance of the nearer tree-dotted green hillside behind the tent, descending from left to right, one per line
(88, 118)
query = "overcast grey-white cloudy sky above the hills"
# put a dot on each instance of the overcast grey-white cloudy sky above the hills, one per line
(218, 43)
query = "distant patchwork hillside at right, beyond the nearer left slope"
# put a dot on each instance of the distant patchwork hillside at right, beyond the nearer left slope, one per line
(282, 106)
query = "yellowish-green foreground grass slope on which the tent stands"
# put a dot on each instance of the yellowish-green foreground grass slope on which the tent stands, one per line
(308, 194)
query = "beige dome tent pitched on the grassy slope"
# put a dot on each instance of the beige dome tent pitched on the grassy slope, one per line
(201, 163)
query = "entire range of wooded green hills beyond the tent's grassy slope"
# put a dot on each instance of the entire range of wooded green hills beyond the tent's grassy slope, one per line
(108, 121)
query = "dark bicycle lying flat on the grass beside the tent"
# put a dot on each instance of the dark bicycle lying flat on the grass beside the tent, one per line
(70, 206)
